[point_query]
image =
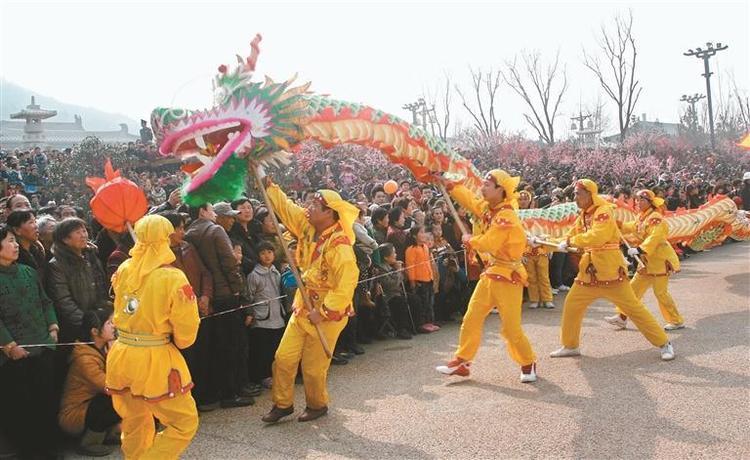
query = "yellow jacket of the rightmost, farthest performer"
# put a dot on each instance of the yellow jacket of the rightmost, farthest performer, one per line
(649, 232)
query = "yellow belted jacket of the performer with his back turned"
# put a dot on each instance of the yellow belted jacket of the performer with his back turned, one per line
(166, 308)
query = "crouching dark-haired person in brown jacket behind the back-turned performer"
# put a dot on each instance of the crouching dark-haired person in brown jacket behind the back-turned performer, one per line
(86, 410)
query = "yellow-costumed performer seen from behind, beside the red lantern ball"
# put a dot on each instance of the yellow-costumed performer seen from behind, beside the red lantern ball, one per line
(155, 314)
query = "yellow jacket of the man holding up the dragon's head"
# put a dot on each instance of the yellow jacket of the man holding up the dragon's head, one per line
(328, 265)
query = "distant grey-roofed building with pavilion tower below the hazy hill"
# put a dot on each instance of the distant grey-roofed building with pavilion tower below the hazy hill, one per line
(34, 132)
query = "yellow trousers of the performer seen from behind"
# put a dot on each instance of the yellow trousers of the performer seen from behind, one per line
(139, 440)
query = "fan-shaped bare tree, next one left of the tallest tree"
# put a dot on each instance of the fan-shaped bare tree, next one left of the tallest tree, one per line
(543, 100)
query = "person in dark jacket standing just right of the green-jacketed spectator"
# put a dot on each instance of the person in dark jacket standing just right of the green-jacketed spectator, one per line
(76, 281)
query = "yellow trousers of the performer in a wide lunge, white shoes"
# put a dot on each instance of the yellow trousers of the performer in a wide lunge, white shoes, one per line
(622, 295)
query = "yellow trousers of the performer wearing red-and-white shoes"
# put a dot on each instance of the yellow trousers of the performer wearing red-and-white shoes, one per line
(507, 298)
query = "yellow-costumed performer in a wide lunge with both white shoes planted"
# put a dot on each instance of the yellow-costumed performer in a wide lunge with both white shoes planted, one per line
(602, 273)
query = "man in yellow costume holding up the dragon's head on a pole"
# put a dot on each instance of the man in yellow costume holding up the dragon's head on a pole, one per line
(325, 256)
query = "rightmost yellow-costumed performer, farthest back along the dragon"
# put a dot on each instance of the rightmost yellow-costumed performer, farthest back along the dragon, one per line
(649, 233)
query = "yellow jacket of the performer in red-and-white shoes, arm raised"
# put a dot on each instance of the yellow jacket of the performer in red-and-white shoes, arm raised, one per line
(498, 236)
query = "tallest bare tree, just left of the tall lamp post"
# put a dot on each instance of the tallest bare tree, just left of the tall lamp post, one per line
(617, 74)
